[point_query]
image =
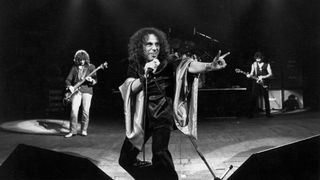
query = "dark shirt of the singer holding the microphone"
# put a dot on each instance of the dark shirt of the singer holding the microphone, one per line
(160, 92)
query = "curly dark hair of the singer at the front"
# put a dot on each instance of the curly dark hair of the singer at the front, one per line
(135, 46)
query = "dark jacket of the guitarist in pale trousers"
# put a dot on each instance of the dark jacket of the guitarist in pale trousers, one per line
(73, 78)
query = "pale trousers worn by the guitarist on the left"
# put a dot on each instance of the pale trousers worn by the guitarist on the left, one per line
(78, 99)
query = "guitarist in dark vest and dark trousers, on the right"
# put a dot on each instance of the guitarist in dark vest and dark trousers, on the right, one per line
(263, 72)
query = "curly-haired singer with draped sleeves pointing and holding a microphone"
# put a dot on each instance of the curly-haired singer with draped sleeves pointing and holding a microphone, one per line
(151, 69)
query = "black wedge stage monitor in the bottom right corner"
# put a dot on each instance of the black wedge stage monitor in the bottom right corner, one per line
(295, 161)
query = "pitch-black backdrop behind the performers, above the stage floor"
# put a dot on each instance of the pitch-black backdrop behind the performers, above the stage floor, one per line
(38, 39)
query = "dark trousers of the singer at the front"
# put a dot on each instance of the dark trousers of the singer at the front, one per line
(162, 164)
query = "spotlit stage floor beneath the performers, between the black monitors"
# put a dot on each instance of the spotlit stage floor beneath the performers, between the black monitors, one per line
(223, 141)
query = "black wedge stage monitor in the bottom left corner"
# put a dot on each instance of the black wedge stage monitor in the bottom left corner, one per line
(28, 162)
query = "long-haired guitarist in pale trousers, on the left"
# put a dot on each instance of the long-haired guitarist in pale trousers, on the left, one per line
(83, 95)
